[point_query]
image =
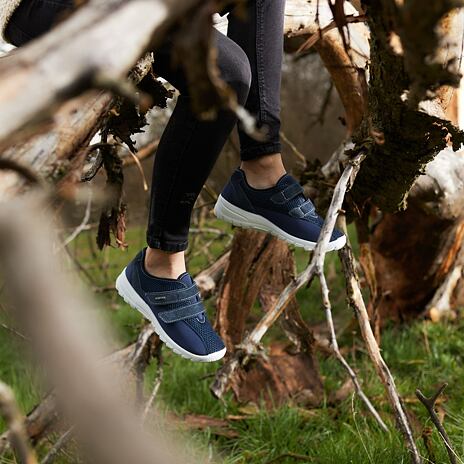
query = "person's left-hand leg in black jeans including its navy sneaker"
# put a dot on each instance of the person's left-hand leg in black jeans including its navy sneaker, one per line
(154, 282)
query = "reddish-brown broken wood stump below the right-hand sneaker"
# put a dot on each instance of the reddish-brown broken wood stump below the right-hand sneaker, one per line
(259, 268)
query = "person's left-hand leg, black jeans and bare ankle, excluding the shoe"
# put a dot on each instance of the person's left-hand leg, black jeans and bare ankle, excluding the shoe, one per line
(185, 157)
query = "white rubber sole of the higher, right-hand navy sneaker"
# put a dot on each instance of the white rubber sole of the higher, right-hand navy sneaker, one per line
(239, 217)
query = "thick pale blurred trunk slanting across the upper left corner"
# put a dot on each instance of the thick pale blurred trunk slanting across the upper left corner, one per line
(95, 47)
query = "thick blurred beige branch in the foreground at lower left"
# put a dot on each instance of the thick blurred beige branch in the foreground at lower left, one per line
(69, 343)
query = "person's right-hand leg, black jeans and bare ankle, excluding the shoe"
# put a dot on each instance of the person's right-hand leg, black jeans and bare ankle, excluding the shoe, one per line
(261, 37)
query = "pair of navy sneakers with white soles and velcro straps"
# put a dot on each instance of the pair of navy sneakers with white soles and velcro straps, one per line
(174, 306)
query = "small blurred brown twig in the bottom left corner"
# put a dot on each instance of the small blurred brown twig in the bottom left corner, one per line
(17, 433)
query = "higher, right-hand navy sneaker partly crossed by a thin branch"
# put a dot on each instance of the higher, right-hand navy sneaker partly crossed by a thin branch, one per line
(282, 210)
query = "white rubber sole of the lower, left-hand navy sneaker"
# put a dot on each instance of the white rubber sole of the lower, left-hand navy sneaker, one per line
(132, 298)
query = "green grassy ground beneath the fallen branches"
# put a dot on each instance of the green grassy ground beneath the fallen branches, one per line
(421, 355)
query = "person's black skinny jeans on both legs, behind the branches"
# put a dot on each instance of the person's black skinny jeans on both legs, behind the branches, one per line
(250, 61)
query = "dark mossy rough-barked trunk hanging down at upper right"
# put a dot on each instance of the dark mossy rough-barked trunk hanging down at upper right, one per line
(401, 135)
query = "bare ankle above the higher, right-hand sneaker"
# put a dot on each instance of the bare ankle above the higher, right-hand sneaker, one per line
(265, 171)
